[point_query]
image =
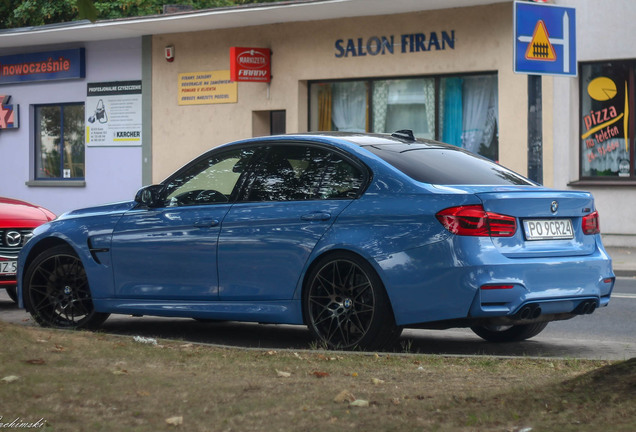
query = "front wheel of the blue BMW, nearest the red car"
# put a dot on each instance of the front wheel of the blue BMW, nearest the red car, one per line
(56, 291)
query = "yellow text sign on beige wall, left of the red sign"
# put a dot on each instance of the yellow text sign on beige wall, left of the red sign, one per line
(209, 87)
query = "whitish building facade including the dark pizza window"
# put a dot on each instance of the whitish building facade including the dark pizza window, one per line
(594, 117)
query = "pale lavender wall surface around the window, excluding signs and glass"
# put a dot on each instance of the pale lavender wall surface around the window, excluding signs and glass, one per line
(112, 174)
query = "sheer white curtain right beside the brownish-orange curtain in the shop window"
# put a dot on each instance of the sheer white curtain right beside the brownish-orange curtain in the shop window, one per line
(349, 106)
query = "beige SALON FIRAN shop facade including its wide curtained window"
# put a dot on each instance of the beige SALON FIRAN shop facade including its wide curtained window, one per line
(446, 74)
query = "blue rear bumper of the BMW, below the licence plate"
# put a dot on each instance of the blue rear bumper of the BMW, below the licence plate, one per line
(445, 281)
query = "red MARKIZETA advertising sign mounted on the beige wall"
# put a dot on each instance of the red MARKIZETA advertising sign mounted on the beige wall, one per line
(250, 64)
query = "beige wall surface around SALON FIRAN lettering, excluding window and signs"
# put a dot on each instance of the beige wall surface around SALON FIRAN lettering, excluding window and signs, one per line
(305, 51)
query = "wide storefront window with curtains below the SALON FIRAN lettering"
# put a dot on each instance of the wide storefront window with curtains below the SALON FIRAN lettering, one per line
(459, 110)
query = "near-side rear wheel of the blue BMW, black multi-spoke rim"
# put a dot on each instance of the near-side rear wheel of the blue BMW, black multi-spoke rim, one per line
(346, 306)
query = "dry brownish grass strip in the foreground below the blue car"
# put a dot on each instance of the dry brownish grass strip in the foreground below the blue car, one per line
(77, 381)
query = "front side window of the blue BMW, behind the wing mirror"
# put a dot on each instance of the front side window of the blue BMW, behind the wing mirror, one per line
(210, 180)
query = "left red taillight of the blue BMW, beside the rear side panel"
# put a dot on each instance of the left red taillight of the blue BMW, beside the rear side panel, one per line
(473, 220)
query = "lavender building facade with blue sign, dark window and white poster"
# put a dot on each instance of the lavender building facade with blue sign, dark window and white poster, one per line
(48, 155)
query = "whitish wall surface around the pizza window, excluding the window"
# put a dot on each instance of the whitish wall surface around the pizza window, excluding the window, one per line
(604, 32)
